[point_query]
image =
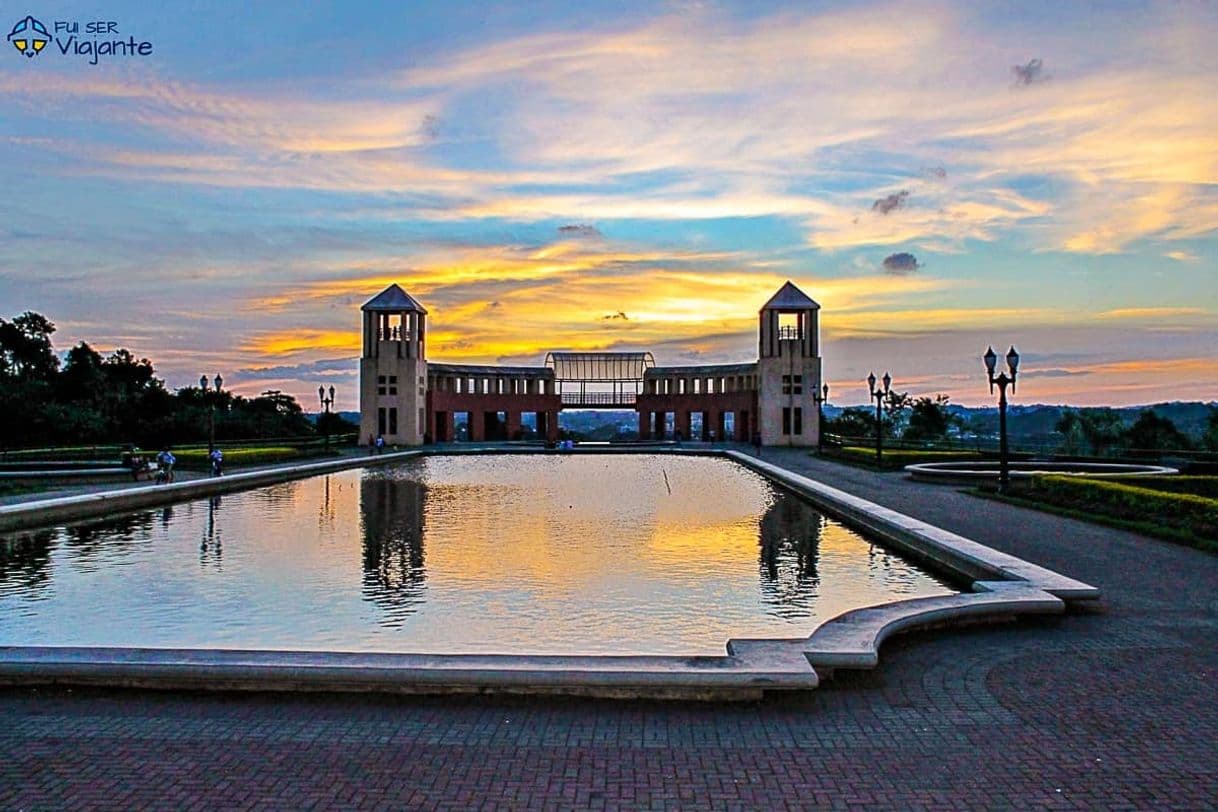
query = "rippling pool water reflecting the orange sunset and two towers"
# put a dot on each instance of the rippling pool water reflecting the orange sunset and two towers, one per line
(636, 555)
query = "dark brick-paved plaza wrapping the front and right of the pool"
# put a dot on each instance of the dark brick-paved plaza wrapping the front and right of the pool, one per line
(1116, 708)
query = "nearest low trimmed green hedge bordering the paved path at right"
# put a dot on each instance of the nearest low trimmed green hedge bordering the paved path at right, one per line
(1189, 517)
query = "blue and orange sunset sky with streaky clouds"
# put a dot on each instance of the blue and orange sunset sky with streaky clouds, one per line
(618, 176)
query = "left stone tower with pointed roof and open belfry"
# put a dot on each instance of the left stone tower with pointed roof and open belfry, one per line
(394, 369)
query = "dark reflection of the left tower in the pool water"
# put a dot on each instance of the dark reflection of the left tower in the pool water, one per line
(394, 567)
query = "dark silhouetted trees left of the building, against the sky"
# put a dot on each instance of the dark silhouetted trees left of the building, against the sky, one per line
(92, 399)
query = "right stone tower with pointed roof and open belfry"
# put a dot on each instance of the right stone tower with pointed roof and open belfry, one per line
(789, 369)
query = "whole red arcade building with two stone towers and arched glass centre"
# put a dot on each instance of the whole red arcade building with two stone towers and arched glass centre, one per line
(411, 401)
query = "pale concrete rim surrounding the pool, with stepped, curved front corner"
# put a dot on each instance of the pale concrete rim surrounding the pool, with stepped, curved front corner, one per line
(1002, 587)
